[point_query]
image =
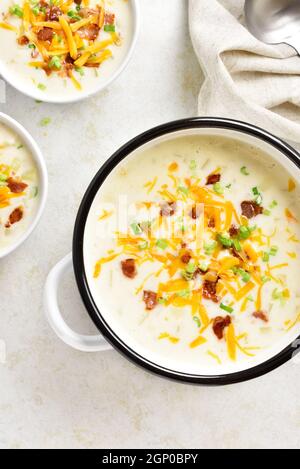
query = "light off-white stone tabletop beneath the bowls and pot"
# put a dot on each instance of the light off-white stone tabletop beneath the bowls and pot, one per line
(54, 397)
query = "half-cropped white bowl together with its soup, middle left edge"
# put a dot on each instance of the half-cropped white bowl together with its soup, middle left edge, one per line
(23, 184)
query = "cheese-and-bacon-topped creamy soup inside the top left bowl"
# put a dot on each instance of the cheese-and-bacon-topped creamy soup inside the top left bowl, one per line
(59, 48)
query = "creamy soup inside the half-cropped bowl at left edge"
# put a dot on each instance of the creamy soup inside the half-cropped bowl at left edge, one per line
(18, 188)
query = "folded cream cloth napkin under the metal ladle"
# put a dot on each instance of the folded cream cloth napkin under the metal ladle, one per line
(244, 78)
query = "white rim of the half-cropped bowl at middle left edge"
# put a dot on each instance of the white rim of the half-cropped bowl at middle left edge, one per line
(42, 174)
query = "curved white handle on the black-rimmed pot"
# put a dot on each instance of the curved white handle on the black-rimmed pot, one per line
(84, 343)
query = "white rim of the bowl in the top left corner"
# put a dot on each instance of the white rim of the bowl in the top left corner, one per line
(61, 99)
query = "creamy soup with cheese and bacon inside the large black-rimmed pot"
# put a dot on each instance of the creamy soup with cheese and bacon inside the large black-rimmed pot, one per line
(196, 256)
